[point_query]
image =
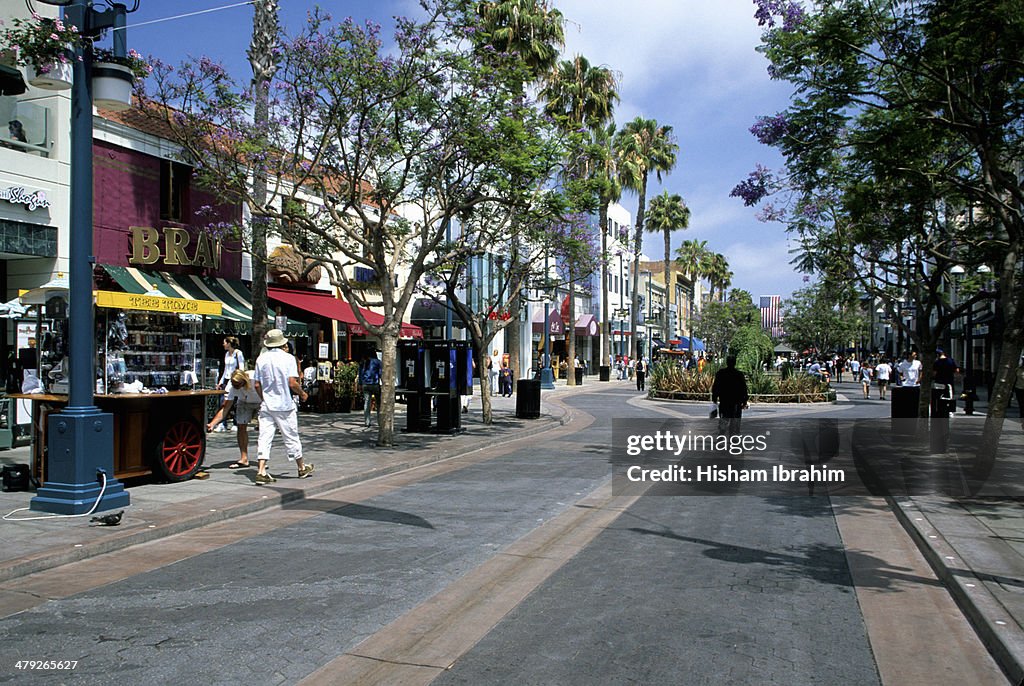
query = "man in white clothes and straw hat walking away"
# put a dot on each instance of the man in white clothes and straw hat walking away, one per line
(277, 378)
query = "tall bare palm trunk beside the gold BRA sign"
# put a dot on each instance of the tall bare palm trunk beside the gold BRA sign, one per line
(263, 52)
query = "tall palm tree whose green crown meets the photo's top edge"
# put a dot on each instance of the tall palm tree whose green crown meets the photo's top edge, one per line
(534, 31)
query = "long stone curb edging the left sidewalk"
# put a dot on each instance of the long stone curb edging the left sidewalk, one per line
(212, 510)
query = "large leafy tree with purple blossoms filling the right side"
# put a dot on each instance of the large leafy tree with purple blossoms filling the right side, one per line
(904, 146)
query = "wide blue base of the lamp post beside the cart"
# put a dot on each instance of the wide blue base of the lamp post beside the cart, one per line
(80, 453)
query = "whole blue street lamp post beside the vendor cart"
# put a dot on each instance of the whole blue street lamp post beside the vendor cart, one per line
(80, 461)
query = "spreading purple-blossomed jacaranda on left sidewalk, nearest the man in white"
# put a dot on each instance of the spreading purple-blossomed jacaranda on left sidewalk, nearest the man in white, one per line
(382, 149)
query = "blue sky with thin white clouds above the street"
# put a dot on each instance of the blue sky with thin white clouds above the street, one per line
(689, 64)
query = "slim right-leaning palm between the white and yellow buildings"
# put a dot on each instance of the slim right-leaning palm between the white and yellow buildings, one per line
(643, 147)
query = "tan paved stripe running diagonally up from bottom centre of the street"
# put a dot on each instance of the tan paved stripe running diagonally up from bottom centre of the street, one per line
(424, 642)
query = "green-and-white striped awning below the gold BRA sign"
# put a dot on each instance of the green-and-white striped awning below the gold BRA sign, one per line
(232, 293)
